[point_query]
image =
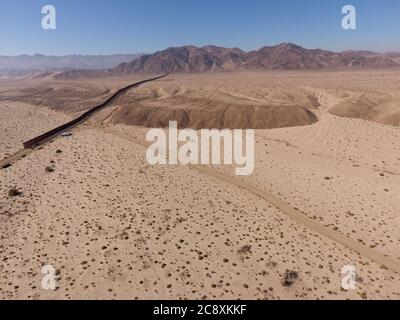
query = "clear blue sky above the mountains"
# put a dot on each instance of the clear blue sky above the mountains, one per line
(131, 26)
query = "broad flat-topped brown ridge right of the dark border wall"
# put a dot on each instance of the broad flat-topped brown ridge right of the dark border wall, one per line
(204, 108)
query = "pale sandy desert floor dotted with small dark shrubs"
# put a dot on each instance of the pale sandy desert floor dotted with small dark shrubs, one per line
(115, 227)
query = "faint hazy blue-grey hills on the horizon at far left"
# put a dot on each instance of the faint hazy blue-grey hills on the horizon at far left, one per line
(17, 65)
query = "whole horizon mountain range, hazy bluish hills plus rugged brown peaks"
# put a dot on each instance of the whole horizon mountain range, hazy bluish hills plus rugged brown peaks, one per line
(285, 56)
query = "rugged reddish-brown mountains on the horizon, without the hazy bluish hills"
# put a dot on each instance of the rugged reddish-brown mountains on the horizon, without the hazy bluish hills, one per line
(285, 56)
